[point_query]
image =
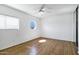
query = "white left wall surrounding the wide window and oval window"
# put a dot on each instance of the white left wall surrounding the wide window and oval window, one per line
(10, 38)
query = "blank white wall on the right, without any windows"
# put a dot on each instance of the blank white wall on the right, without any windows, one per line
(58, 26)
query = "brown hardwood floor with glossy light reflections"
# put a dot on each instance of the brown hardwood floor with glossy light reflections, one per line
(50, 47)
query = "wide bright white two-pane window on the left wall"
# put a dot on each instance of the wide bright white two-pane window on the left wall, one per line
(7, 22)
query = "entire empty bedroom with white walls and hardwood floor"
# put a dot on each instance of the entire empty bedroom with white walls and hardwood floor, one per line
(39, 29)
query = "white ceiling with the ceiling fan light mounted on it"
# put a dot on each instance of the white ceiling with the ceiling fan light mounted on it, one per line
(49, 9)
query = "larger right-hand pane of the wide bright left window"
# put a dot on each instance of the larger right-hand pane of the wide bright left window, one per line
(12, 23)
